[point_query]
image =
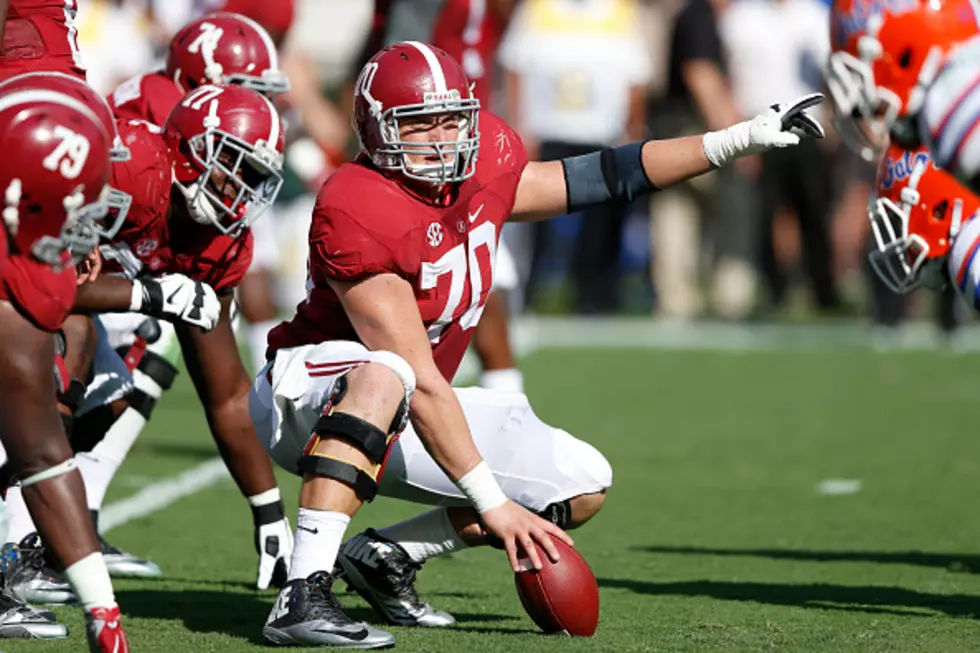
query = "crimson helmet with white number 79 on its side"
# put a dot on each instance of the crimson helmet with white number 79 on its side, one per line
(53, 174)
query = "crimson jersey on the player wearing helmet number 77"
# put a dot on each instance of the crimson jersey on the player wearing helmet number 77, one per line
(154, 240)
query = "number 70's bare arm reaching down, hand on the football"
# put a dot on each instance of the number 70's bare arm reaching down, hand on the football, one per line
(385, 315)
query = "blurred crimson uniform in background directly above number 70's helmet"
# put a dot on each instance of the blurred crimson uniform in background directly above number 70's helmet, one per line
(470, 32)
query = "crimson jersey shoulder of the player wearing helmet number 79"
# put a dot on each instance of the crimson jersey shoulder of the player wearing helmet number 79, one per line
(44, 297)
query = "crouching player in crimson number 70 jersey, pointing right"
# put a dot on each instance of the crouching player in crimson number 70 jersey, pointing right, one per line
(401, 262)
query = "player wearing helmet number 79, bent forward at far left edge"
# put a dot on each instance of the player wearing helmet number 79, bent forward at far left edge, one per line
(53, 189)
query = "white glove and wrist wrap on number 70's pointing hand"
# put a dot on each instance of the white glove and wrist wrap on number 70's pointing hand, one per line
(781, 125)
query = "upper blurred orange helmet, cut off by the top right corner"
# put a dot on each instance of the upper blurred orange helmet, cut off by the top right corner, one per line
(884, 54)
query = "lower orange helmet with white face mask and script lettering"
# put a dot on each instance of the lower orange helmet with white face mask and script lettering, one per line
(915, 216)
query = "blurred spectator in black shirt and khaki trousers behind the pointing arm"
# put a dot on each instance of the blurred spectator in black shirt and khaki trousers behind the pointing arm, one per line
(699, 99)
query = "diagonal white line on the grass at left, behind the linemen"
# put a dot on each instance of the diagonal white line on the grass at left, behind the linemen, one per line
(162, 494)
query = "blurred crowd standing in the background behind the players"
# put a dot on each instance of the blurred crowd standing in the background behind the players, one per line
(780, 236)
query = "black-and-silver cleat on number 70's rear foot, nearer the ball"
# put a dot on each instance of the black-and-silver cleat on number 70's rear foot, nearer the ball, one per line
(383, 574)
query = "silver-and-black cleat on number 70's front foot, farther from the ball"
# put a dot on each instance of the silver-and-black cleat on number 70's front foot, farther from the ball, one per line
(307, 614)
